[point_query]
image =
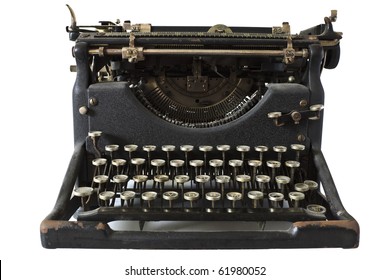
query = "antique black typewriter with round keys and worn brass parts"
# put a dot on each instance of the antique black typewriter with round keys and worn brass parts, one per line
(199, 137)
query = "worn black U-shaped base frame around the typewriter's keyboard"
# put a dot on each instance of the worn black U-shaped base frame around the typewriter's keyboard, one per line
(58, 232)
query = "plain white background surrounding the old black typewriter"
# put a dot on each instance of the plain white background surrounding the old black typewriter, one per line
(37, 142)
